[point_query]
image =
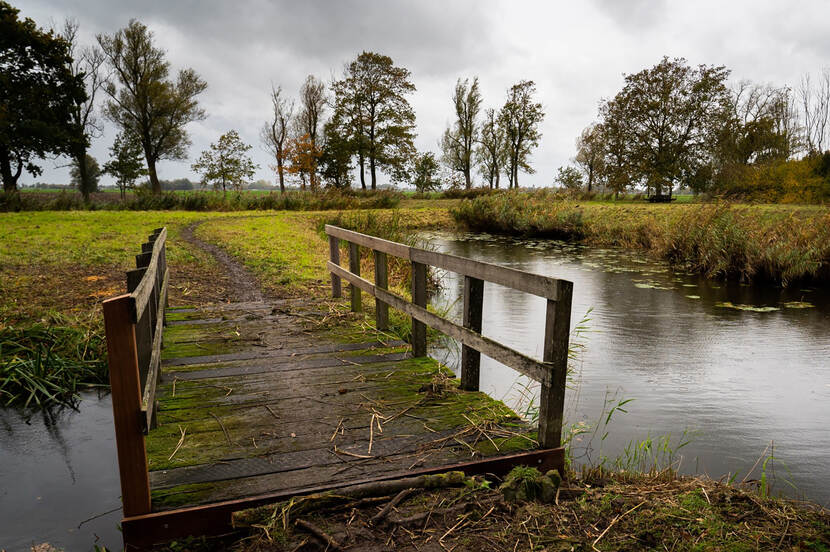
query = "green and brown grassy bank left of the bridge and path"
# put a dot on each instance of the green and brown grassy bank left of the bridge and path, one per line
(55, 269)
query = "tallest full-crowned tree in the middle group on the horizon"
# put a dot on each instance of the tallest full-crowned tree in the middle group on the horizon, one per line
(371, 99)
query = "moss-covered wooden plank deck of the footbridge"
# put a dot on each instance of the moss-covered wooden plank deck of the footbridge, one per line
(272, 395)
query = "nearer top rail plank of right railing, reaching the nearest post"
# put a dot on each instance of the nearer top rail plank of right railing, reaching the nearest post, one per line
(517, 279)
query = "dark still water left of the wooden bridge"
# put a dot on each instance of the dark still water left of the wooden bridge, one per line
(57, 471)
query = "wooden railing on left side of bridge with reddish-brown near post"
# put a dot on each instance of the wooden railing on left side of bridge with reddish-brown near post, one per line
(133, 325)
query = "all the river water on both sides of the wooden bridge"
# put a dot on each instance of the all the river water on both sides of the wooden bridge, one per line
(682, 347)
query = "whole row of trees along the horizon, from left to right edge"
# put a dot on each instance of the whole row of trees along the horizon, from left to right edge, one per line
(671, 125)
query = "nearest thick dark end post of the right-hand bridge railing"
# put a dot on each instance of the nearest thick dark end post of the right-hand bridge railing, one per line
(552, 400)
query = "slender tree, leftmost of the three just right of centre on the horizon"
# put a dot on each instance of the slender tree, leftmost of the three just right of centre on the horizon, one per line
(458, 140)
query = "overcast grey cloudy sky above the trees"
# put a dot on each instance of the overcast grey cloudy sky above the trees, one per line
(576, 52)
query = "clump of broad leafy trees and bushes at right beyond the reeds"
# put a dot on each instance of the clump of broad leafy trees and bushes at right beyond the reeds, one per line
(673, 125)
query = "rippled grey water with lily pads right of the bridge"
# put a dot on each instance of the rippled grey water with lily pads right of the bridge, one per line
(684, 348)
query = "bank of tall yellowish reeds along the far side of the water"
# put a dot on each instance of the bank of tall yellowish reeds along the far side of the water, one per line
(746, 242)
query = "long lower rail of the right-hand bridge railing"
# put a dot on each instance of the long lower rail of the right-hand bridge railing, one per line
(534, 369)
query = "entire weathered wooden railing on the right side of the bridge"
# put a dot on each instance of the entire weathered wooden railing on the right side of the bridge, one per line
(551, 371)
